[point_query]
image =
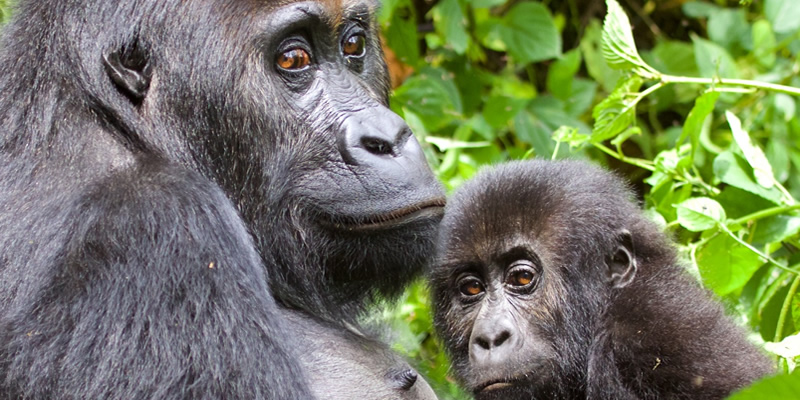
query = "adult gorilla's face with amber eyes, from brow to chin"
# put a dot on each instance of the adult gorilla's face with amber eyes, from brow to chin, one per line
(288, 112)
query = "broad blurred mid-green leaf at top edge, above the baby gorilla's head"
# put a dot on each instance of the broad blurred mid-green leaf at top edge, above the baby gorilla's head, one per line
(530, 34)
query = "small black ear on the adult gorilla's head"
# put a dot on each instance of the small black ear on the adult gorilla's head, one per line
(130, 69)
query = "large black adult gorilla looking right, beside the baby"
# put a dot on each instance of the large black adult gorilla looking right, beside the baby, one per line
(159, 159)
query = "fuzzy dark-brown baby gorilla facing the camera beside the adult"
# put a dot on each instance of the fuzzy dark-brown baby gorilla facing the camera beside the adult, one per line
(550, 284)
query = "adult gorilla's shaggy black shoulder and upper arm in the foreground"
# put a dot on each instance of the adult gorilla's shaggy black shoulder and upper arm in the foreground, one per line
(159, 294)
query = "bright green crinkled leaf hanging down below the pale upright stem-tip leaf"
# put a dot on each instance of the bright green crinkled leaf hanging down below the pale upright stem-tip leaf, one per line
(618, 111)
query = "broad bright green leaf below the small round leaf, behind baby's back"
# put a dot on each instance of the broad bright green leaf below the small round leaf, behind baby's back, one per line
(725, 265)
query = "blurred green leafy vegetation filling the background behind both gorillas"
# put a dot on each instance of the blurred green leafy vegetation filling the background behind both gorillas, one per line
(702, 121)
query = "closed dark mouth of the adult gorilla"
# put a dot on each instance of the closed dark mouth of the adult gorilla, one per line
(425, 210)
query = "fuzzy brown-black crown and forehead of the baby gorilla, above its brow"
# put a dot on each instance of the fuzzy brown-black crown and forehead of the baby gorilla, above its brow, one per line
(535, 200)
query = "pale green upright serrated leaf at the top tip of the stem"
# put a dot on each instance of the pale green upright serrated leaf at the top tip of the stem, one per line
(619, 49)
